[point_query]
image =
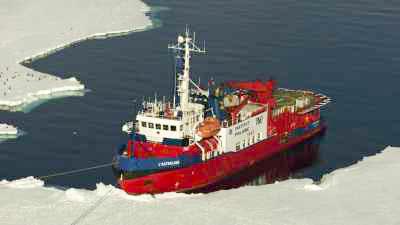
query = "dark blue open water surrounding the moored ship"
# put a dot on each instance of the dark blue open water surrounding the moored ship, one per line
(346, 49)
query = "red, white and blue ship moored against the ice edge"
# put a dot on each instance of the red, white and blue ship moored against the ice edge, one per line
(205, 135)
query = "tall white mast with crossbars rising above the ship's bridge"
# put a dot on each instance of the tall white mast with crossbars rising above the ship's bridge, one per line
(184, 47)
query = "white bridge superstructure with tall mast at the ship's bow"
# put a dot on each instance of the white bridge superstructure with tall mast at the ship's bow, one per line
(177, 120)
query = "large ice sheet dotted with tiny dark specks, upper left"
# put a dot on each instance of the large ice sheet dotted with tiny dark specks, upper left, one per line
(30, 29)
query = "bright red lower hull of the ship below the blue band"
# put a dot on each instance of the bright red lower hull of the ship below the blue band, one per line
(202, 175)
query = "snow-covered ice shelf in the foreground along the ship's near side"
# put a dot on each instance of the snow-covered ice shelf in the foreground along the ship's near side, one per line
(365, 193)
